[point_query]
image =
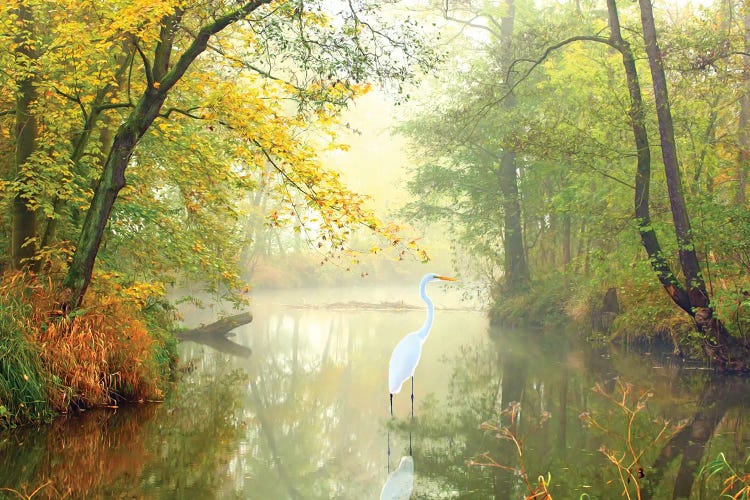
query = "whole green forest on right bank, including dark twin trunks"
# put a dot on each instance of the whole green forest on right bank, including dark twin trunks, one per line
(584, 148)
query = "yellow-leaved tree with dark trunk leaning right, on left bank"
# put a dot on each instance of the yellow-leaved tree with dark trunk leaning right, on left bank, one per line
(113, 75)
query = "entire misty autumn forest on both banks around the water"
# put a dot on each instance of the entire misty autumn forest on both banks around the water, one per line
(584, 161)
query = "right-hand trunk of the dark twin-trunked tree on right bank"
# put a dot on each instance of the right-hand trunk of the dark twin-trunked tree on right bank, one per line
(717, 344)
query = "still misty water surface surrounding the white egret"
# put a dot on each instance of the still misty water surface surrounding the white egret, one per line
(295, 405)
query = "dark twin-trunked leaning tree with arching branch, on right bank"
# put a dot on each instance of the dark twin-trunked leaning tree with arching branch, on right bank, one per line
(693, 296)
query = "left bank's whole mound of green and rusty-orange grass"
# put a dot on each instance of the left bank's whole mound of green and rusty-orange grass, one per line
(116, 348)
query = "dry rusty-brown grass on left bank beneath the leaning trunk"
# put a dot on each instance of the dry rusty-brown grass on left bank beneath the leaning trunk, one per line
(97, 355)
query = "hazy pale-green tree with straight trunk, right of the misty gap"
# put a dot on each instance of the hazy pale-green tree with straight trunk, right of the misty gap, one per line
(479, 143)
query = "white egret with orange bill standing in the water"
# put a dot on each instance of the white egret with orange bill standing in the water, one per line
(406, 354)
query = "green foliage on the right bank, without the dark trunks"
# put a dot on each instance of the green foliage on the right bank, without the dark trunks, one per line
(576, 162)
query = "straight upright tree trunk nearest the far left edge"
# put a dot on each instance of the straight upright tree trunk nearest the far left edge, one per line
(23, 246)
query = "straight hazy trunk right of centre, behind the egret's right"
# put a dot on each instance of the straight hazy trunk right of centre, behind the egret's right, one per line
(515, 266)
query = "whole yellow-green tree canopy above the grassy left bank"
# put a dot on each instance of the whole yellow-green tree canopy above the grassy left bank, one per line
(132, 129)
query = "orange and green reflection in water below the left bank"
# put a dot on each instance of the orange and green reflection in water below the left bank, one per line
(170, 447)
